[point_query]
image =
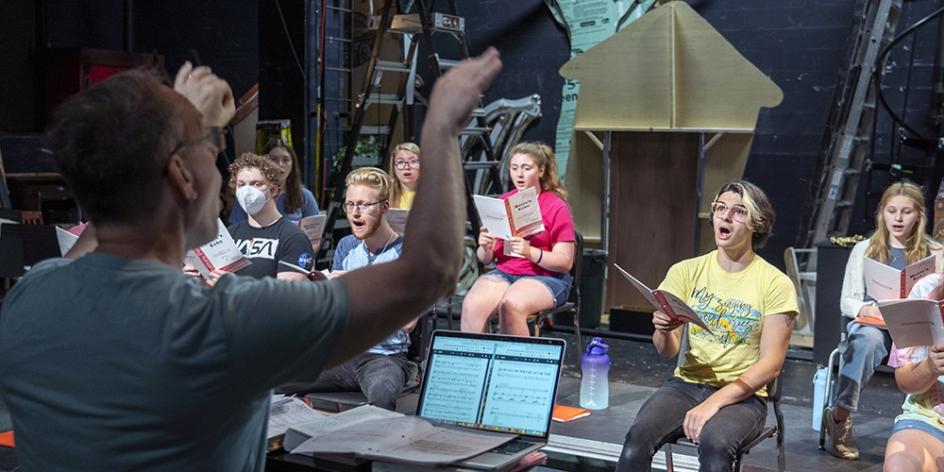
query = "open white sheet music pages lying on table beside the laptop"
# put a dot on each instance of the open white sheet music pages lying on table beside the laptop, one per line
(378, 434)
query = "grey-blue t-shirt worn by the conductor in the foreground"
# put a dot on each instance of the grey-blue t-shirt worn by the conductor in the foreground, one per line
(113, 364)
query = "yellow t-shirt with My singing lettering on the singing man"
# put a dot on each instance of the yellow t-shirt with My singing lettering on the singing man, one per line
(733, 305)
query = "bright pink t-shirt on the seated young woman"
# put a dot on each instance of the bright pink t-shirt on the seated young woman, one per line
(558, 227)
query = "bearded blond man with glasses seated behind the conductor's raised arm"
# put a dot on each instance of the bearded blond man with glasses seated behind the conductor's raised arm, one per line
(381, 372)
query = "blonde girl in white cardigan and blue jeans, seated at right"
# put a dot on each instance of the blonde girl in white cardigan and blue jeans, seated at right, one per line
(899, 239)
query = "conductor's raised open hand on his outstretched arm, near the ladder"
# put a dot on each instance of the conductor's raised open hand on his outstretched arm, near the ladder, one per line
(457, 92)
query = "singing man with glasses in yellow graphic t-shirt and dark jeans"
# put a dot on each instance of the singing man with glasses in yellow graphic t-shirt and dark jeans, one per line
(717, 397)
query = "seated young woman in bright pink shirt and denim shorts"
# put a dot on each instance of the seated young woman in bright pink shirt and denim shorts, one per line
(521, 286)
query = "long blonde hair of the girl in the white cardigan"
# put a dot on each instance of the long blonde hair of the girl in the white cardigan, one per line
(917, 244)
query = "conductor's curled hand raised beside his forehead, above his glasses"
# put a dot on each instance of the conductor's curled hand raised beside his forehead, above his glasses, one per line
(209, 94)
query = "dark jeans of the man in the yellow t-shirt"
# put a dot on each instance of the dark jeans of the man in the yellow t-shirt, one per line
(660, 421)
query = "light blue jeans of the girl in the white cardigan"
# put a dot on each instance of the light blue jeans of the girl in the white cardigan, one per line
(863, 351)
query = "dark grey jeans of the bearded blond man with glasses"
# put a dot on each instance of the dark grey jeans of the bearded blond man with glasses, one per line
(379, 377)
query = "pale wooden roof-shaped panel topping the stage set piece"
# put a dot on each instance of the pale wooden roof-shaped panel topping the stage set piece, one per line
(669, 71)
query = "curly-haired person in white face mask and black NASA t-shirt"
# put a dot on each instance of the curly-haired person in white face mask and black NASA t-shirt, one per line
(265, 237)
